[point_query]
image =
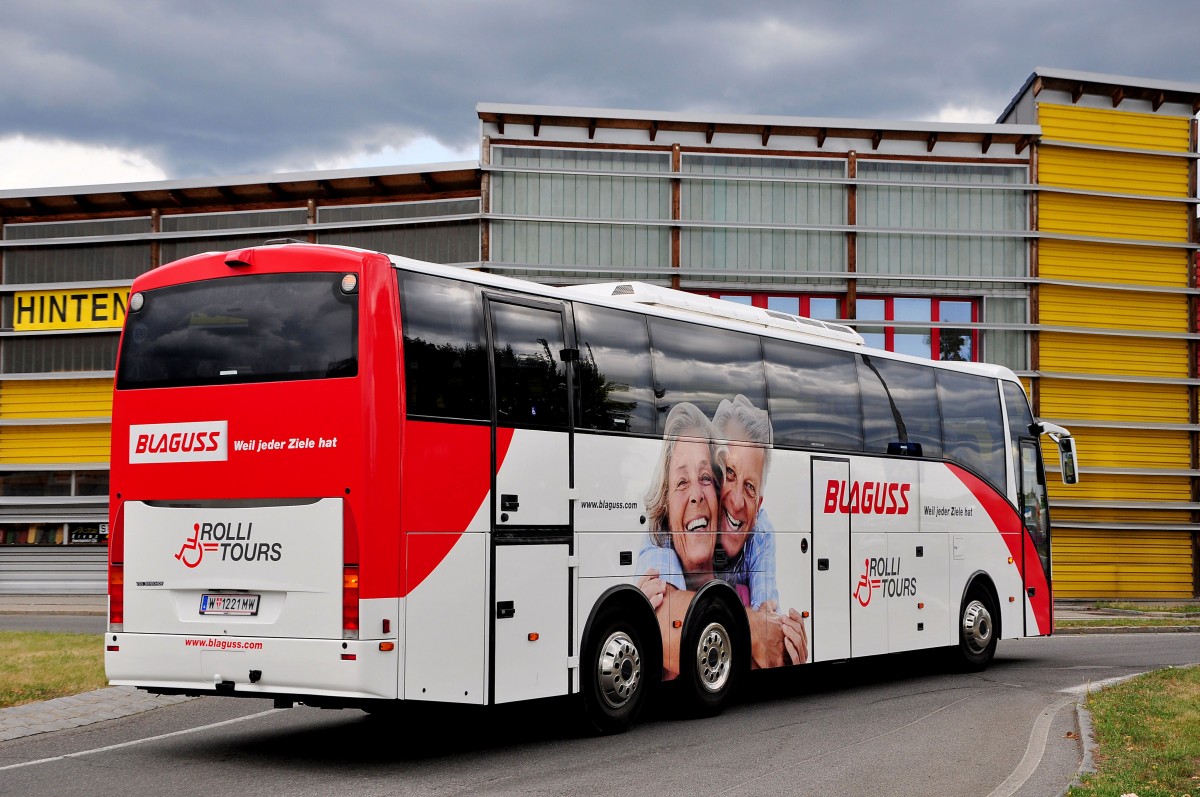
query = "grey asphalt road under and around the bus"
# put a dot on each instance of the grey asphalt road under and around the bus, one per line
(890, 726)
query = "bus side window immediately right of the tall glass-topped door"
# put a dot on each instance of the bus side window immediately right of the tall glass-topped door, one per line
(615, 382)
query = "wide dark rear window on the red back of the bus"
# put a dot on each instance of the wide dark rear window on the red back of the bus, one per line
(255, 328)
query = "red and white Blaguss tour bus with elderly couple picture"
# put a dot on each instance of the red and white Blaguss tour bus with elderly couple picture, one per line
(350, 480)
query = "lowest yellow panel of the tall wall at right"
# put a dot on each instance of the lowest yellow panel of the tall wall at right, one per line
(1091, 564)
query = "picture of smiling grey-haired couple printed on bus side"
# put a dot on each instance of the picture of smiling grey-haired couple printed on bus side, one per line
(706, 520)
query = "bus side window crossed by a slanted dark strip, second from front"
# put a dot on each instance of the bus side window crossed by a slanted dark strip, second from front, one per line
(899, 406)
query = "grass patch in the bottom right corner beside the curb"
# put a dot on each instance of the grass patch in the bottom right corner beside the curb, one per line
(1148, 732)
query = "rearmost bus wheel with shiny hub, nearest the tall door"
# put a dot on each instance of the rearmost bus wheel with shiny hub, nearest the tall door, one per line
(616, 676)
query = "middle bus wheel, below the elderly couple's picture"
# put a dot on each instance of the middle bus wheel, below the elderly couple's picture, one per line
(710, 660)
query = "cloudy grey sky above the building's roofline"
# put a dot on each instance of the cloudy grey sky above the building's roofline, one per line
(128, 91)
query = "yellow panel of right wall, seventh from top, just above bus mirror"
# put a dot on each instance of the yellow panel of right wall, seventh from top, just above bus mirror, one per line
(1072, 399)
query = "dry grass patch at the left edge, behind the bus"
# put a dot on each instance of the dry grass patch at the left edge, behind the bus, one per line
(40, 666)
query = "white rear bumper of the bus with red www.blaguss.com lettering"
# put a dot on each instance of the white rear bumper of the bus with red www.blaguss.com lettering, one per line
(253, 667)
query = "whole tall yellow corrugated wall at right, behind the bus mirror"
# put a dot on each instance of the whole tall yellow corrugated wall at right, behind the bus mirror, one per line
(1117, 534)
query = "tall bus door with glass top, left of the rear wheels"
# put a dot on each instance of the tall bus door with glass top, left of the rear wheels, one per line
(532, 540)
